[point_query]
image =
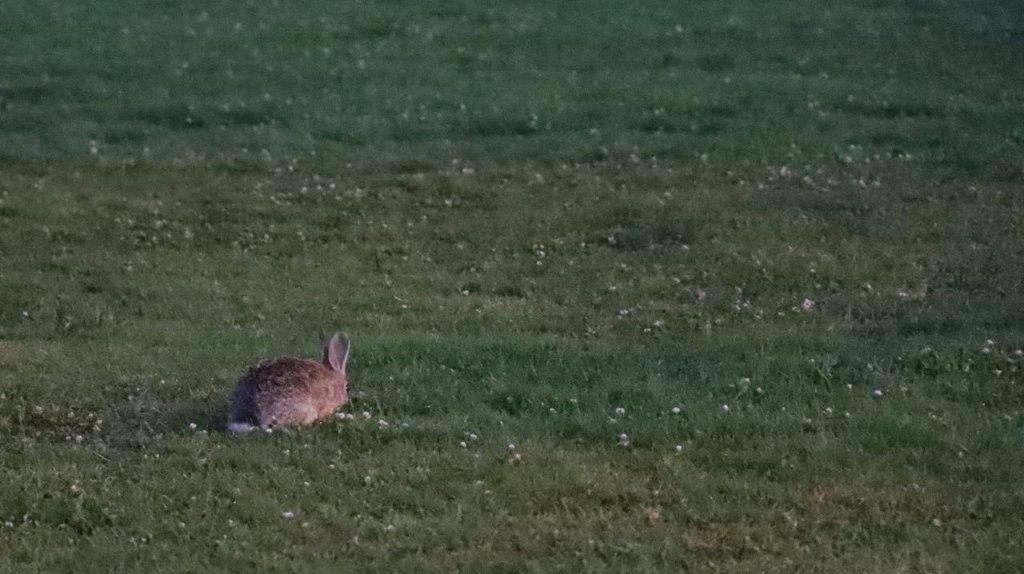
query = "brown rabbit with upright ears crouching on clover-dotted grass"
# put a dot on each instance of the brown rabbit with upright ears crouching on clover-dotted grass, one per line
(291, 392)
